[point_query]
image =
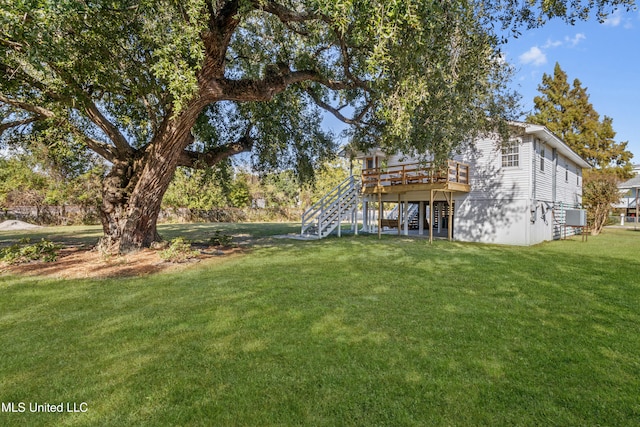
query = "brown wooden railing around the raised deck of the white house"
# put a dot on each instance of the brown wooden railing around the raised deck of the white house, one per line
(416, 173)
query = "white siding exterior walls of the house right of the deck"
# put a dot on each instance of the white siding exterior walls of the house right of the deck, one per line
(516, 205)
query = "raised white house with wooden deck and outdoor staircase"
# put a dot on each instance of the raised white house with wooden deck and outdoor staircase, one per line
(515, 194)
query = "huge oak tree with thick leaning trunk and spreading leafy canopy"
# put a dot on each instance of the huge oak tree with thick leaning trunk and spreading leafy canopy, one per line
(151, 85)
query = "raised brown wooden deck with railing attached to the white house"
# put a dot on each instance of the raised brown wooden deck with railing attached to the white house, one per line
(454, 176)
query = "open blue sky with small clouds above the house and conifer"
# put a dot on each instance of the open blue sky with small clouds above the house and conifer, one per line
(604, 57)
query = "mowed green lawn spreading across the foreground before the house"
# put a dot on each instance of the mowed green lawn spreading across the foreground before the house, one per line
(349, 331)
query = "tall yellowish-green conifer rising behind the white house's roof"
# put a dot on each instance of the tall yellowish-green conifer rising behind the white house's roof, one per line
(567, 112)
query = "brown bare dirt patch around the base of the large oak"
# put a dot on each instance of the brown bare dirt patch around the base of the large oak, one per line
(77, 263)
